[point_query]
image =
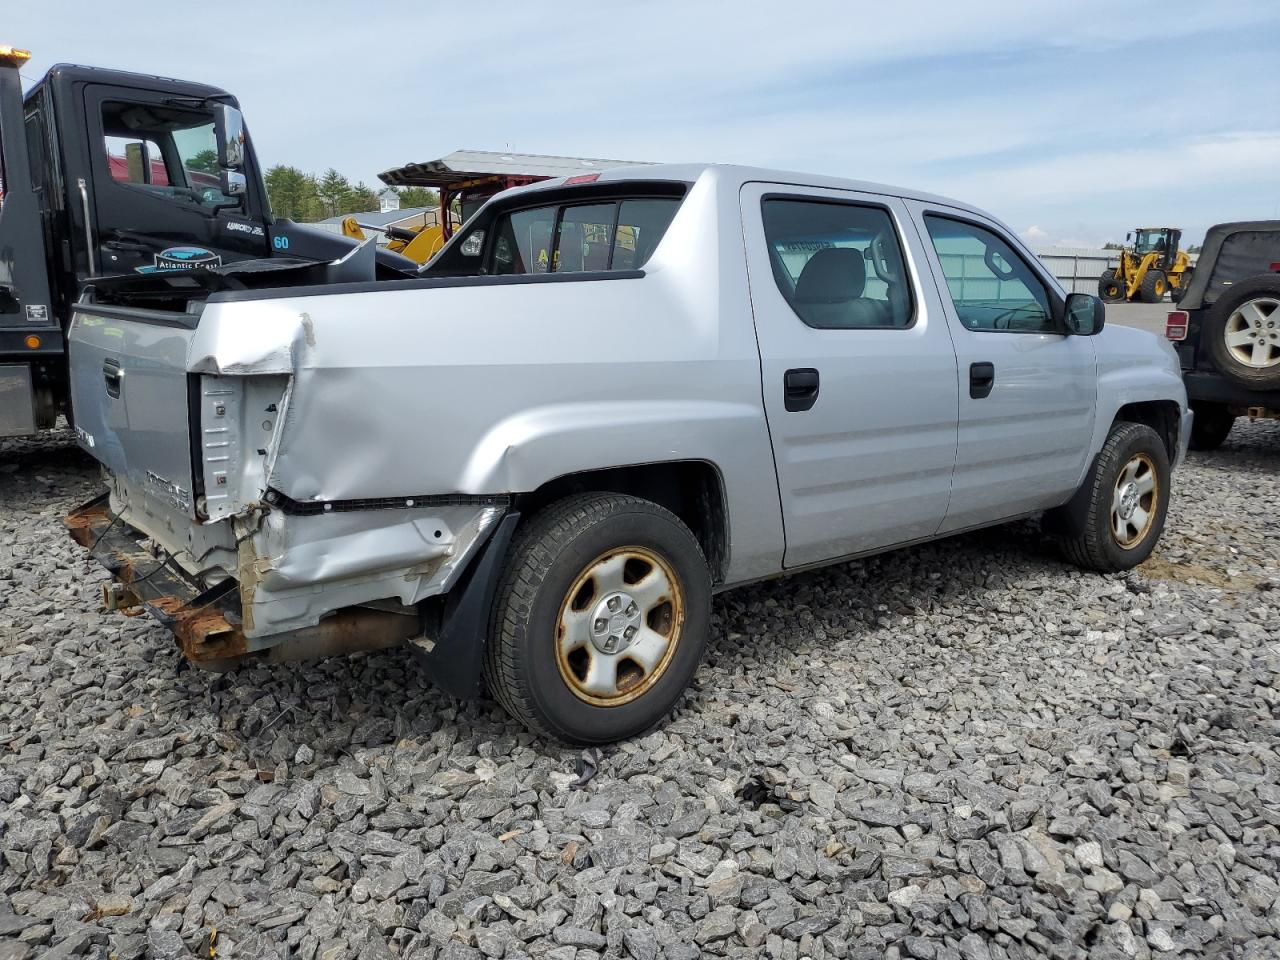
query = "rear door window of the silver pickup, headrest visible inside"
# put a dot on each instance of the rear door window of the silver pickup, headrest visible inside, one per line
(839, 266)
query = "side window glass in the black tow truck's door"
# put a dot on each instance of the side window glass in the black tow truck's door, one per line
(164, 152)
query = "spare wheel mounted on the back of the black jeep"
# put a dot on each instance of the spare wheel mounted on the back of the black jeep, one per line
(1244, 333)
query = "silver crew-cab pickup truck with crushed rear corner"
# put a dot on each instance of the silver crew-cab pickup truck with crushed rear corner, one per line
(607, 399)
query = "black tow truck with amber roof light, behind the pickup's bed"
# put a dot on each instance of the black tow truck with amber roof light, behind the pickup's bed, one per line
(108, 177)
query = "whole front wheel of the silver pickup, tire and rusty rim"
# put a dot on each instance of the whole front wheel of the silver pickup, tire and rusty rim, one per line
(1128, 497)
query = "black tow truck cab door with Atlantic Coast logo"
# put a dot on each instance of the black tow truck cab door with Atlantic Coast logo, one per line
(154, 185)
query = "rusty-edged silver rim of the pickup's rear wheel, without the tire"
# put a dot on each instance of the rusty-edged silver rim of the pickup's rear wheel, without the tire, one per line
(619, 627)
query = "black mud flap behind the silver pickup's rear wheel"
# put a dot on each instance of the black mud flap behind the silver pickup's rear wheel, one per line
(455, 656)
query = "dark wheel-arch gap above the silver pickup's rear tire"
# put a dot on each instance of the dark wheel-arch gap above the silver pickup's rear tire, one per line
(692, 490)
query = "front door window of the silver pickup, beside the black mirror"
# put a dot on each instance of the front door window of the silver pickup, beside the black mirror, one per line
(993, 287)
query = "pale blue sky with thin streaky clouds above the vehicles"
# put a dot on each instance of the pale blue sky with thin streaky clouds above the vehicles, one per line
(1067, 122)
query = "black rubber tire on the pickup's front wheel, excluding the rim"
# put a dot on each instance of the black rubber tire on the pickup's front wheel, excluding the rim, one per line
(1095, 546)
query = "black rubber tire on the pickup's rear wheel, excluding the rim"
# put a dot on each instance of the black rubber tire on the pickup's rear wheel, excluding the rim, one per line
(524, 666)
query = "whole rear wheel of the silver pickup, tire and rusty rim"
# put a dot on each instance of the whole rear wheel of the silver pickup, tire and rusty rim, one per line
(601, 619)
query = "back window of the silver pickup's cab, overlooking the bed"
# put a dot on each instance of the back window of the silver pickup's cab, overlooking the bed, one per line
(606, 235)
